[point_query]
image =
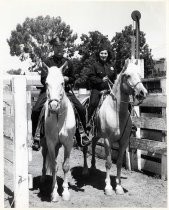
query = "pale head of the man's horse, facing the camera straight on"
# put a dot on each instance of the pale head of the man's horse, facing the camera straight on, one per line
(55, 87)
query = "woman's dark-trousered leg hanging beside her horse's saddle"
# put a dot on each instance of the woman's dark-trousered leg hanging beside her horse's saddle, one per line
(94, 101)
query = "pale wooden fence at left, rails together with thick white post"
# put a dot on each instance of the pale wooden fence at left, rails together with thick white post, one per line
(17, 127)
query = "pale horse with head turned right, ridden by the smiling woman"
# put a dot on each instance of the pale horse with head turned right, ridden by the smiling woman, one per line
(113, 122)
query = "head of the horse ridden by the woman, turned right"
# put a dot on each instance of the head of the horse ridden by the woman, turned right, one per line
(132, 83)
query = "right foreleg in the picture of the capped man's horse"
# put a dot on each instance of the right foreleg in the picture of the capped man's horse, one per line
(66, 168)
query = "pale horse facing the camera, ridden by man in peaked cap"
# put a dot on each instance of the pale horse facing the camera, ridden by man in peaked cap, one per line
(59, 130)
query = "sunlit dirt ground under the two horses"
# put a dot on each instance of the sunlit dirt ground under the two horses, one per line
(140, 190)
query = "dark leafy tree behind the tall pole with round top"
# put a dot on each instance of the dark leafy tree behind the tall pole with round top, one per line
(121, 50)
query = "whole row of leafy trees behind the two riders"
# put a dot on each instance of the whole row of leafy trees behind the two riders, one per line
(31, 40)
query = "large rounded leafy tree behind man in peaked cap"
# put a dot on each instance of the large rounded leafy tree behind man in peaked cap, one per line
(31, 39)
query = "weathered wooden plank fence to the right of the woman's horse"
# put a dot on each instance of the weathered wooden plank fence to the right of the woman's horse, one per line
(149, 147)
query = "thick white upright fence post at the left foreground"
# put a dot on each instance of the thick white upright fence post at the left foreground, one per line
(21, 191)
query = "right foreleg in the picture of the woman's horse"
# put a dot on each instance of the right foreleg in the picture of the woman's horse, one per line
(119, 189)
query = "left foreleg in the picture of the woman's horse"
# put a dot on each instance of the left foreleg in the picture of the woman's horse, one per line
(108, 164)
